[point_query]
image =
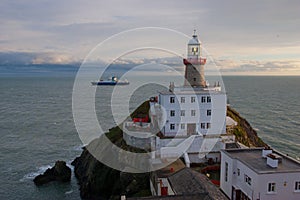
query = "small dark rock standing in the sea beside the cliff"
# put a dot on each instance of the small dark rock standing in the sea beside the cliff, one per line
(60, 172)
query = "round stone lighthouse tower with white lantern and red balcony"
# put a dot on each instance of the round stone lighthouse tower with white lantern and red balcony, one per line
(194, 64)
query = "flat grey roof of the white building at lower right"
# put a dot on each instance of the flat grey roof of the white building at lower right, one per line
(253, 159)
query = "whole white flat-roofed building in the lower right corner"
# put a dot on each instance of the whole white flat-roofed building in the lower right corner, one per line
(259, 174)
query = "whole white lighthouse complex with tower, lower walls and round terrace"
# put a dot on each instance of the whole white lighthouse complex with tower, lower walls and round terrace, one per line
(187, 120)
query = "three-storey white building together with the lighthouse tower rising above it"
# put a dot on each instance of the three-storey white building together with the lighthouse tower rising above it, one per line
(194, 108)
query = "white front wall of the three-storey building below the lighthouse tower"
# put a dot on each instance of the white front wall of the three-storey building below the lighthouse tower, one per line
(217, 118)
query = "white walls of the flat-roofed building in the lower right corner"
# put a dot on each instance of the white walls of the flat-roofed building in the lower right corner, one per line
(285, 182)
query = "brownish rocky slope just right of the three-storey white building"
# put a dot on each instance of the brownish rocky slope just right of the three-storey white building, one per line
(244, 133)
